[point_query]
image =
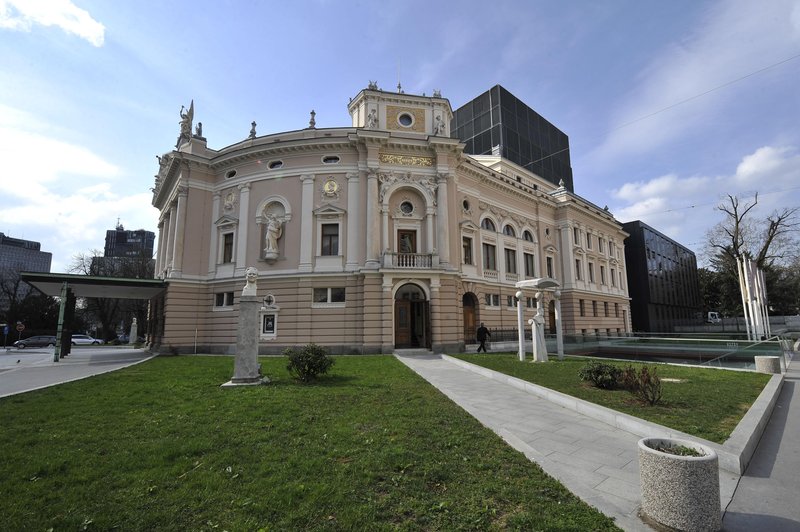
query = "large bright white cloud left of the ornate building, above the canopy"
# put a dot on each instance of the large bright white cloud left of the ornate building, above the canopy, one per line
(59, 193)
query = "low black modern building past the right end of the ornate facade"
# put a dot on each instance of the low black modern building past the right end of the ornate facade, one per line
(662, 280)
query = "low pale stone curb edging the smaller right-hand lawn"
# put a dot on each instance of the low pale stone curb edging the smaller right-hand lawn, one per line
(734, 454)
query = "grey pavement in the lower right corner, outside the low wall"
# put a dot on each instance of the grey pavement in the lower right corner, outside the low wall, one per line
(768, 496)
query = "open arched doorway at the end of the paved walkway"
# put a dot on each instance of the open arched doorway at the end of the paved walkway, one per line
(412, 327)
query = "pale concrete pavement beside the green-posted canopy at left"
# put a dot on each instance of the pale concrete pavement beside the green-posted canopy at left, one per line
(23, 370)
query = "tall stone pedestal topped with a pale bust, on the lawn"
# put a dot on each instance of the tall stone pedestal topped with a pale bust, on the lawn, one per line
(246, 369)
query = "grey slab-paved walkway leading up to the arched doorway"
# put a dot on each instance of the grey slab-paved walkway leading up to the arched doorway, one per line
(596, 461)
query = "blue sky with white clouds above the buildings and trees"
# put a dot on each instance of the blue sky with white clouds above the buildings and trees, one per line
(669, 106)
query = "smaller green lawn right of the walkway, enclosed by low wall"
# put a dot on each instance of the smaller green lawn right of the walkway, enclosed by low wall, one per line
(707, 403)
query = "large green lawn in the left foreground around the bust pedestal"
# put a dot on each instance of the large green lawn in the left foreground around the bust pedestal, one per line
(160, 446)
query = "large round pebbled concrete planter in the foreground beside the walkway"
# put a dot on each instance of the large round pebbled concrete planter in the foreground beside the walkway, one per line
(681, 492)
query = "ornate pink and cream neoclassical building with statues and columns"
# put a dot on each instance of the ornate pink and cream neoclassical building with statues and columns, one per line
(379, 236)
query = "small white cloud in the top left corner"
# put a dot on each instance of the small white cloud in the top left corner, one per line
(22, 15)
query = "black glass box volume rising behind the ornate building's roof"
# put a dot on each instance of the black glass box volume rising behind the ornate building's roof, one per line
(499, 123)
